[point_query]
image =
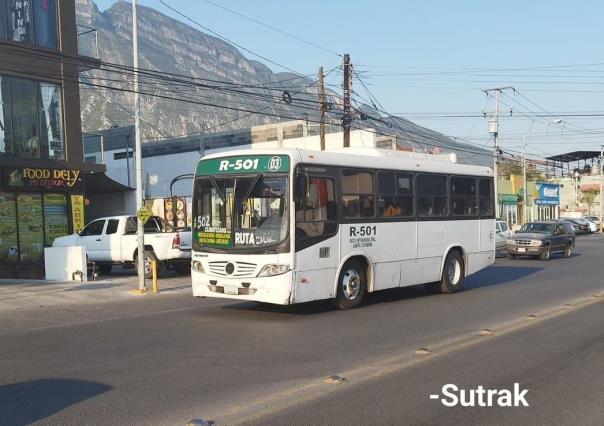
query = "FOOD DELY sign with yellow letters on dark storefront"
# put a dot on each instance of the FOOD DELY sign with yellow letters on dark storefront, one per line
(39, 178)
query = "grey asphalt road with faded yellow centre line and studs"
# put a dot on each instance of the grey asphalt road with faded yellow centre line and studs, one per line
(171, 358)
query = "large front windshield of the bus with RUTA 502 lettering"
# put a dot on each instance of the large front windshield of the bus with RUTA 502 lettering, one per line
(240, 212)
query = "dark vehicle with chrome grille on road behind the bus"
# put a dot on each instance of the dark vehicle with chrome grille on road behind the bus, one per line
(541, 239)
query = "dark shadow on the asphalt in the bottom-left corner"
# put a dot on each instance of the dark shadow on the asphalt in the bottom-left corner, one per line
(27, 402)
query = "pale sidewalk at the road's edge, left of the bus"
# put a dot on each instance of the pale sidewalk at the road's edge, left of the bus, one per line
(28, 294)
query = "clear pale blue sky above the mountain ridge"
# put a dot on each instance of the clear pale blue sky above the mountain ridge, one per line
(426, 60)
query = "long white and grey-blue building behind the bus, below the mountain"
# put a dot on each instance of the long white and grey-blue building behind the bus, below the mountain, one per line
(168, 164)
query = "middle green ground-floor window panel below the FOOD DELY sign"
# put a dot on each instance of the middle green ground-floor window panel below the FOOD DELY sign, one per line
(31, 230)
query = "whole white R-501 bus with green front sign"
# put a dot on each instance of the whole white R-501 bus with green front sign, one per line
(289, 226)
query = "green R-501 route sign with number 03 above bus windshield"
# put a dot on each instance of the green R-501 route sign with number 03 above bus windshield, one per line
(244, 164)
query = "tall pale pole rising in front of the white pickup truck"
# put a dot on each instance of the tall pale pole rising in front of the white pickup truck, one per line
(138, 153)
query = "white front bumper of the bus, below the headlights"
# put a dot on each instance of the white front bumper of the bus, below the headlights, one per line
(276, 289)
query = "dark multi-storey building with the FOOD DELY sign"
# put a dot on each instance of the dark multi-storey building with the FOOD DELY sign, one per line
(42, 170)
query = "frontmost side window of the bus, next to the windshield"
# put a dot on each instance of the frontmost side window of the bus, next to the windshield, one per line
(315, 207)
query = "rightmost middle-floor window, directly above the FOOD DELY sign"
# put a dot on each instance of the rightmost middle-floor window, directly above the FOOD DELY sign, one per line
(50, 121)
